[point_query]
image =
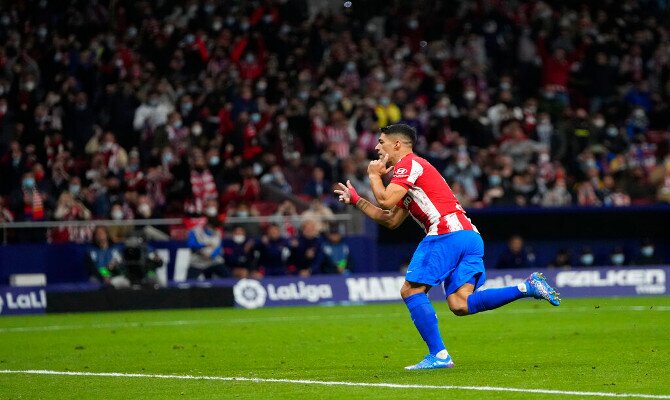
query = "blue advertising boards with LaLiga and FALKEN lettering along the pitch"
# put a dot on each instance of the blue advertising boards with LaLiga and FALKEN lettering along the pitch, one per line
(315, 290)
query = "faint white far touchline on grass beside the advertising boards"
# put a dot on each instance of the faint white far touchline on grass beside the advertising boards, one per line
(302, 318)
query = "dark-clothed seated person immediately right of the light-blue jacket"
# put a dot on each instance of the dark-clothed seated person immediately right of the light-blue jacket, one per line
(240, 253)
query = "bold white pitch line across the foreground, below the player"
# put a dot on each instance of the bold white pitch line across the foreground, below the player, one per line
(335, 383)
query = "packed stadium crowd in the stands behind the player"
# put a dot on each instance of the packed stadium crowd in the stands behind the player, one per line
(134, 110)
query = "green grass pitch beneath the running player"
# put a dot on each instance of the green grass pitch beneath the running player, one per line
(585, 345)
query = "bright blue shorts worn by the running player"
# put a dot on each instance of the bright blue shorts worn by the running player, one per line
(454, 258)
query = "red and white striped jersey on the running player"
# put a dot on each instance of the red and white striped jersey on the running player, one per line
(429, 198)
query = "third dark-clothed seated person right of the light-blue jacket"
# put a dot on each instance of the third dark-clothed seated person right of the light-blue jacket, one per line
(306, 250)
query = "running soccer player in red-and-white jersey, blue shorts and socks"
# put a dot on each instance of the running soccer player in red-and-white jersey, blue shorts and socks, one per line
(452, 251)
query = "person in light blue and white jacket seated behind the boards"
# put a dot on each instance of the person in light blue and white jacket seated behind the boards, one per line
(206, 251)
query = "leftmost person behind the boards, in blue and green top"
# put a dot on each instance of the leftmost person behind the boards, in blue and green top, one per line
(104, 260)
